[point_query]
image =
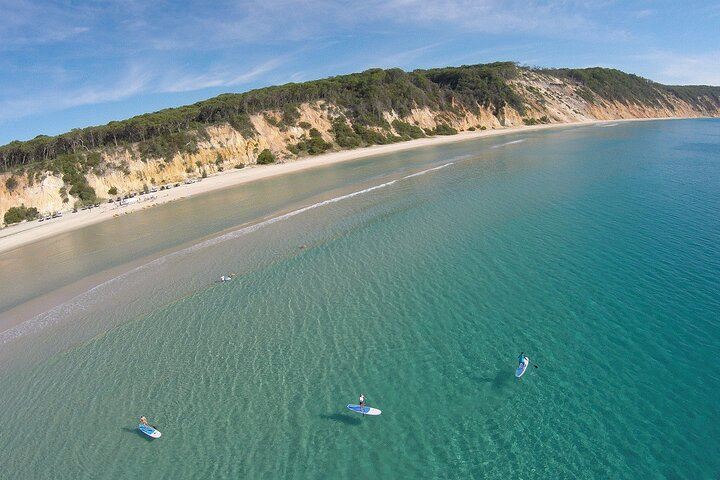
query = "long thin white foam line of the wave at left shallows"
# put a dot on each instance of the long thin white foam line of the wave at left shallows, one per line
(81, 301)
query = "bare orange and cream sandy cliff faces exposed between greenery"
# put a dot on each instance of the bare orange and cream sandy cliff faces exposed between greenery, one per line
(547, 99)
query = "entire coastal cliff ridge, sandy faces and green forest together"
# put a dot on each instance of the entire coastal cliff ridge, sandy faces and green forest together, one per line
(52, 174)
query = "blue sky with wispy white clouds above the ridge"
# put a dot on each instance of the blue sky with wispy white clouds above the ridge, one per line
(71, 64)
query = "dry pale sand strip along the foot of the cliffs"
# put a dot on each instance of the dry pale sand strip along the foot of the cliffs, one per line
(25, 233)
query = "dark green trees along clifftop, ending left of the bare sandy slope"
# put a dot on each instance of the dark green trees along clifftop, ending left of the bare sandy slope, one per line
(364, 97)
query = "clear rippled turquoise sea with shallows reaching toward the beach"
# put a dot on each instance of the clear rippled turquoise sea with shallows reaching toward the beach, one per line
(595, 250)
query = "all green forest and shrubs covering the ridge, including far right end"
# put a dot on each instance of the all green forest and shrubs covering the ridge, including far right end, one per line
(363, 98)
